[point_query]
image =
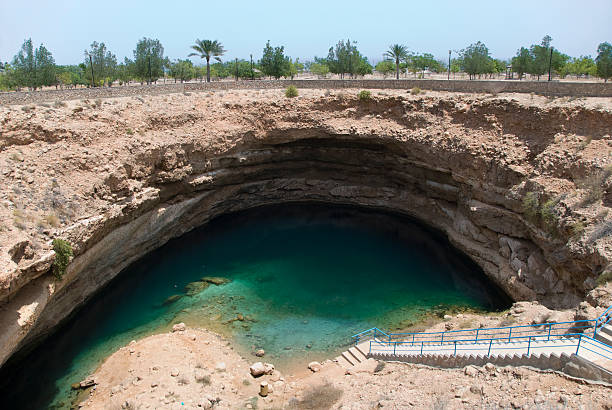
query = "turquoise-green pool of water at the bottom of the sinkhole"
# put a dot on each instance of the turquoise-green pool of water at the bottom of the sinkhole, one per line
(300, 279)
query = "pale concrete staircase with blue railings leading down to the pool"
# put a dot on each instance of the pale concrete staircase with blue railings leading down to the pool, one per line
(584, 343)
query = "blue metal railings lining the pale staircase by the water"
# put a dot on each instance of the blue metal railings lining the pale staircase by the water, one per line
(528, 338)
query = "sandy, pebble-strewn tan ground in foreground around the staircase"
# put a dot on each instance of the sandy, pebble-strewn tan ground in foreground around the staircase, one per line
(194, 368)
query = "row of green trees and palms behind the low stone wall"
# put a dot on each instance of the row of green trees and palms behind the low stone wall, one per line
(33, 68)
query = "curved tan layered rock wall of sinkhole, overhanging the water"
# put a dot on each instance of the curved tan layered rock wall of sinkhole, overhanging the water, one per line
(130, 175)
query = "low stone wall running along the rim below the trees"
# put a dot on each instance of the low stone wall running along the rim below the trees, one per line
(464, 86)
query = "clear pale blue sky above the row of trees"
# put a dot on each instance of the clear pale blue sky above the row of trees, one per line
(305, 28)
